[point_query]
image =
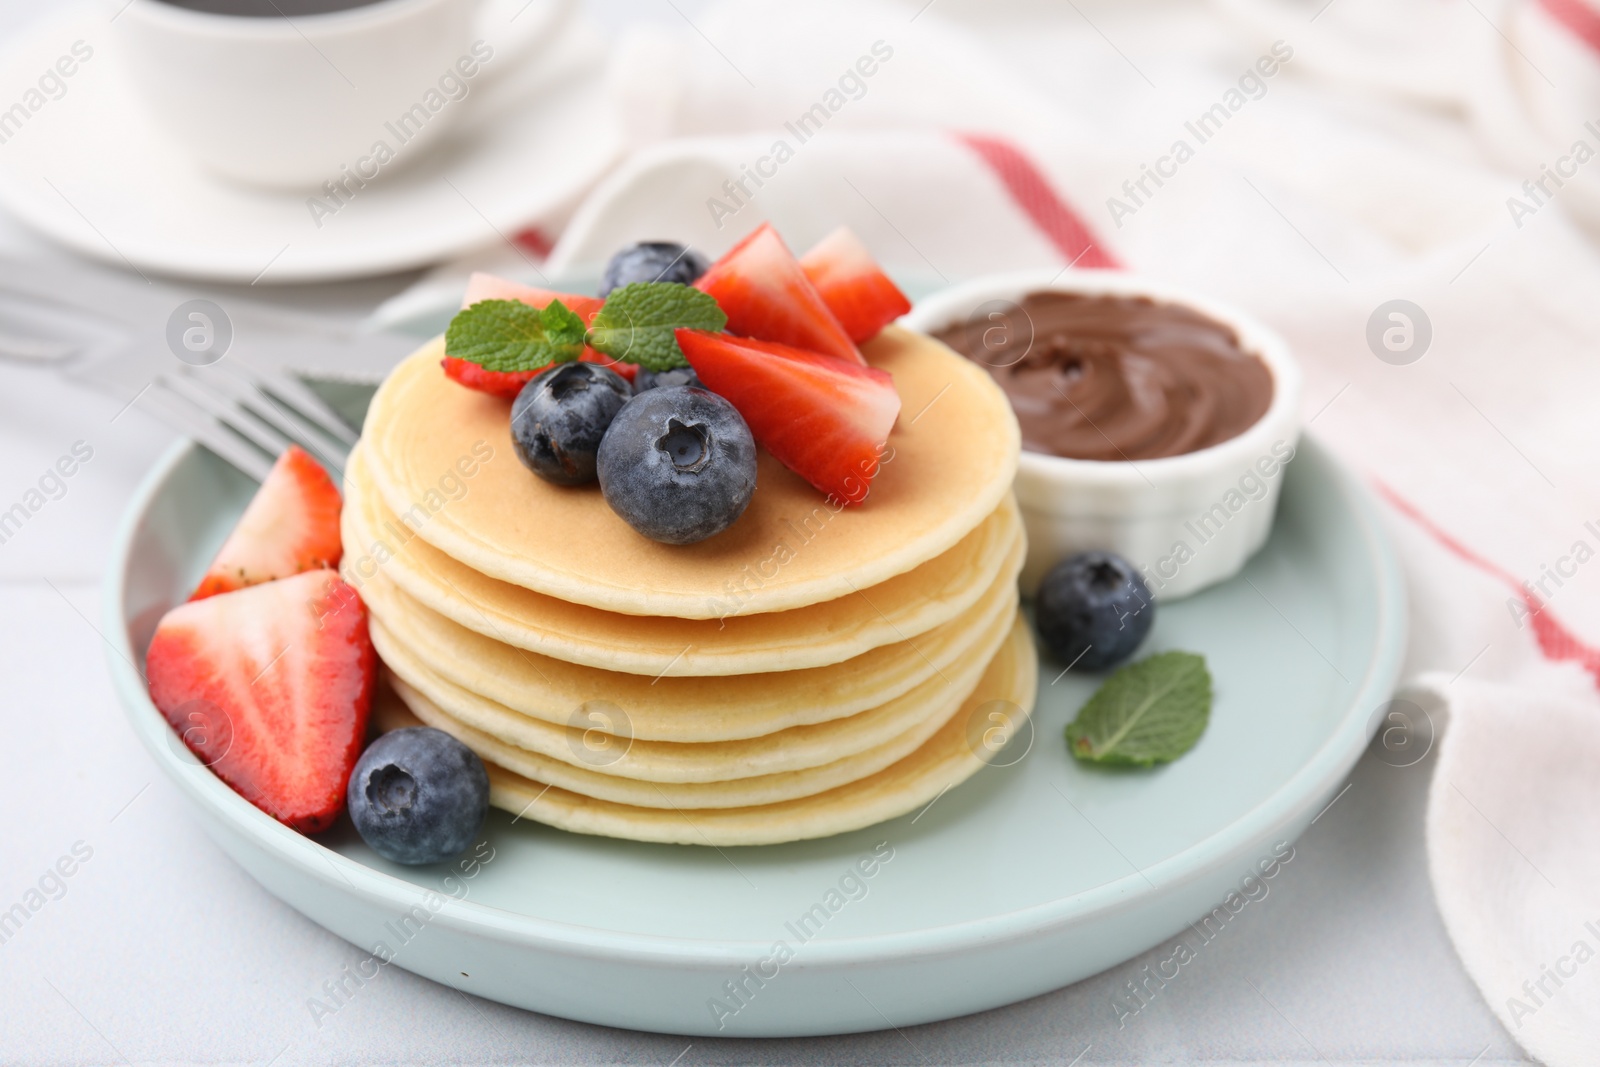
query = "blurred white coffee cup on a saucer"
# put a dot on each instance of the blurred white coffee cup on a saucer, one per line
(294, 103)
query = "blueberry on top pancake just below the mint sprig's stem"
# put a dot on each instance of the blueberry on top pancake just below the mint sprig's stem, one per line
(559, 418)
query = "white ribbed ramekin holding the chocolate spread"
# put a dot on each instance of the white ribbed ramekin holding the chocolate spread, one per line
(1185, 522)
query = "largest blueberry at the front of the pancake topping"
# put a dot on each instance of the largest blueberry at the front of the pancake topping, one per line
(678, 465)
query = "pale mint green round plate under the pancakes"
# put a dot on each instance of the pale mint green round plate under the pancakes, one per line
(1030, 877)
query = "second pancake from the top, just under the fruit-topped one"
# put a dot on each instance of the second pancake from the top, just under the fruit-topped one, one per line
(902, 609)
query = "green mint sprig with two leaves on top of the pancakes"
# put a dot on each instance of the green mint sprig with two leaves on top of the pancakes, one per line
(636, 326)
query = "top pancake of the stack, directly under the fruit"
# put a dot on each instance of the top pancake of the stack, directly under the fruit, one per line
(446, 450)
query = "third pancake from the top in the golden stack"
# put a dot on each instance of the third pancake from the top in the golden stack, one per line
(681, 709)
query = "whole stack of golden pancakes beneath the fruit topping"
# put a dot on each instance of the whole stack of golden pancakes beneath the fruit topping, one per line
(810, 671)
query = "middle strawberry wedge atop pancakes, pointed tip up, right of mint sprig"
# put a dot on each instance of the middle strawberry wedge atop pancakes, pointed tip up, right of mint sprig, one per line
(766, 295)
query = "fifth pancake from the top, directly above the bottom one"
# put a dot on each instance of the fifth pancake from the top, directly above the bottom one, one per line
(742, 793)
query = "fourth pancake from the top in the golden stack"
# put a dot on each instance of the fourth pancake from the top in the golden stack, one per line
(593, 743)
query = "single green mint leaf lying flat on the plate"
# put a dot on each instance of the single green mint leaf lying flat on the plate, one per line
(1148, 713)
